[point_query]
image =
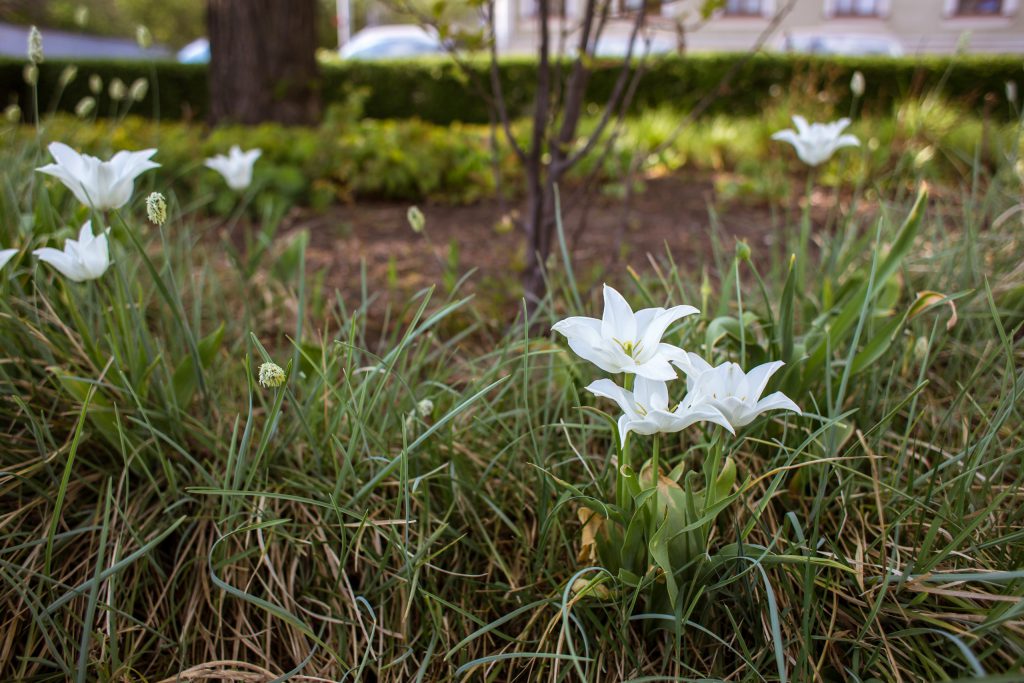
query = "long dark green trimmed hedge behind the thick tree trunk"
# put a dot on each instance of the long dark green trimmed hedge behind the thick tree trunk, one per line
(439, 92)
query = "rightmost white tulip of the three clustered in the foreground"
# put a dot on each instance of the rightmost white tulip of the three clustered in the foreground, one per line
(732, 392)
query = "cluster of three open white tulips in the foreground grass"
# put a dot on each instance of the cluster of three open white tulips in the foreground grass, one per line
(624, 341)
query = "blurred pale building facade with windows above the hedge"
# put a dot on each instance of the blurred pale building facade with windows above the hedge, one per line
(887, 27)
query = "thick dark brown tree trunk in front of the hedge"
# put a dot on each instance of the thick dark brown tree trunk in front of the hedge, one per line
(263, 62)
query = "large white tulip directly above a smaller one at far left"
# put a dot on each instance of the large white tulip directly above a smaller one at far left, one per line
(101, 185)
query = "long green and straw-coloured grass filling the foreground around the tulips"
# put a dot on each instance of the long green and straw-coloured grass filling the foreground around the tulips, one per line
(162, 514)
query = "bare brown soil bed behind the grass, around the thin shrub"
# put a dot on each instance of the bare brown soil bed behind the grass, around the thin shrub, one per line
(673, 211)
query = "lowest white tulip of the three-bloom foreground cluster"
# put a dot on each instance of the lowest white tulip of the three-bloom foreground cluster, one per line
(646, 411)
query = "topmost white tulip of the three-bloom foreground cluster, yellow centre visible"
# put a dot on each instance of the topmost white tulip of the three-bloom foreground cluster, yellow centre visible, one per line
(626, 343)
